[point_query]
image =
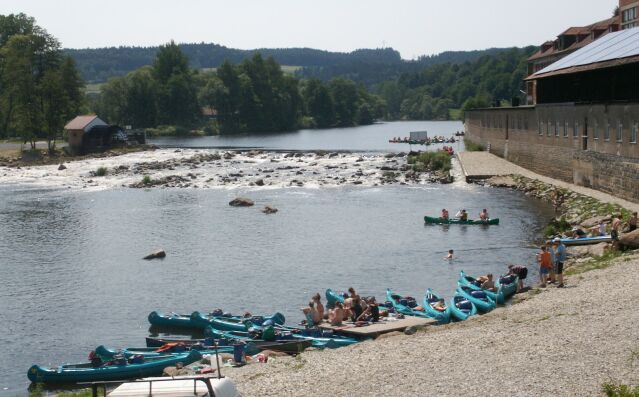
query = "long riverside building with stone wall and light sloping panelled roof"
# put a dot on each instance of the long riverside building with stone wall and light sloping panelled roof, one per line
(584, 123)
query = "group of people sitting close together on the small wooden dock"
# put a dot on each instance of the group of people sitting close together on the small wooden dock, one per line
(354, 309)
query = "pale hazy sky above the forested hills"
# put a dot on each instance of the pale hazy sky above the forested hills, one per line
(413, 27)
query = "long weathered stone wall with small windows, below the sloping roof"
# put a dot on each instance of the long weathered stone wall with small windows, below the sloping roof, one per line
(589, 145)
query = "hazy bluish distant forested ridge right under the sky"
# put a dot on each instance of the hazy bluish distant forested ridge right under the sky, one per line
(367, 66)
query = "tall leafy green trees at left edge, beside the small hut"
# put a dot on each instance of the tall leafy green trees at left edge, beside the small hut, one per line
(40, 87)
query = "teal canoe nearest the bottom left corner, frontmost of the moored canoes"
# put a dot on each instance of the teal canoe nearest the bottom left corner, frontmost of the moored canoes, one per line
(85, 372)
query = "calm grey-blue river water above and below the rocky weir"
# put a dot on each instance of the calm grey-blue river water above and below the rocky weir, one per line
(72, 277)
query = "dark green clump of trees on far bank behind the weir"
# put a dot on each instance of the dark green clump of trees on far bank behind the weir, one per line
(252, 96)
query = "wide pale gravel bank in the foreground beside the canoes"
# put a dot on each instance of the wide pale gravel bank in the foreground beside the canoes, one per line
(555, 343)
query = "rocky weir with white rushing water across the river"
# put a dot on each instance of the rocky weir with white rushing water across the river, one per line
(188, 168)
